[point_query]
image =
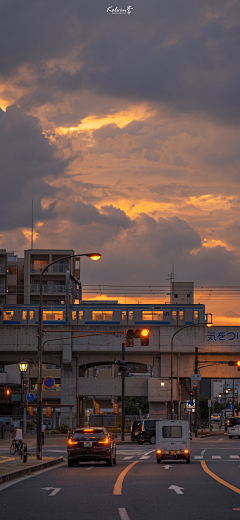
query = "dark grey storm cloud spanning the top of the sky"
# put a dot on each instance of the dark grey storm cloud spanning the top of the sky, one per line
(184, 54)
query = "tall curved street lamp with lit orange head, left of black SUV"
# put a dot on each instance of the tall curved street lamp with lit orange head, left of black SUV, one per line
(93, 256)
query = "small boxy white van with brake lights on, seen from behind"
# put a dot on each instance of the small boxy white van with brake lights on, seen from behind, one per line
(172, 440)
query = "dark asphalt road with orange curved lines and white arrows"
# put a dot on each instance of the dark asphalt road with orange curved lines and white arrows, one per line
(95, 491)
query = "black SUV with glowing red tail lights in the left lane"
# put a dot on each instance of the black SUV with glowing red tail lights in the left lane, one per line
(91, 444)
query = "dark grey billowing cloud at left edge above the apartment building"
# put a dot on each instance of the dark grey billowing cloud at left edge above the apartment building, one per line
(26, 160)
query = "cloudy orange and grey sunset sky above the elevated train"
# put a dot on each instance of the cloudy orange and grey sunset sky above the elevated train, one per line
(125, 132)
